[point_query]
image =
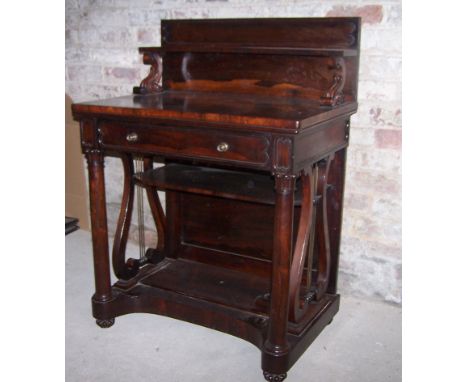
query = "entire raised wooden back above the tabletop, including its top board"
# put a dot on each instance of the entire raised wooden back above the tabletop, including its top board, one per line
(271, 57)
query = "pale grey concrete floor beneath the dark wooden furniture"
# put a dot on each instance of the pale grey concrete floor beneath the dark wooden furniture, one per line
(362, 344)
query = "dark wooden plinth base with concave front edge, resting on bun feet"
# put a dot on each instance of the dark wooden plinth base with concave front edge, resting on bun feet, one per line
(216, 298)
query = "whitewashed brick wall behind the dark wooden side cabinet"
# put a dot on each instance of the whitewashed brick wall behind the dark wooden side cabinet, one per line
(102, 61)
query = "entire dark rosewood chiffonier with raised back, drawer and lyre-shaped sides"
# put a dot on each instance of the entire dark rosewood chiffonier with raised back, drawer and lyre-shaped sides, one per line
(250, 119)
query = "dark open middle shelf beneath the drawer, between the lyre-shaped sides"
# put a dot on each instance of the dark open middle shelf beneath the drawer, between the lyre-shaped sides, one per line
(250, 187)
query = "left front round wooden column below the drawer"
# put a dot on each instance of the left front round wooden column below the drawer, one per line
(97, 202)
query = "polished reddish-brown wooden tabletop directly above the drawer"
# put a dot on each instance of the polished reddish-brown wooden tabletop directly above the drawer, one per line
(288, 114)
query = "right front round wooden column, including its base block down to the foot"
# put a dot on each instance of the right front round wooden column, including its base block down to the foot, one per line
(276, 345)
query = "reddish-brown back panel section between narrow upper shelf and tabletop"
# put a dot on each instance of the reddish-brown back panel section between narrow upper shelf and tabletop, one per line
(295, 76)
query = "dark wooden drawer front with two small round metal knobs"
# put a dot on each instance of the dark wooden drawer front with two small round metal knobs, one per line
(186, 142)
